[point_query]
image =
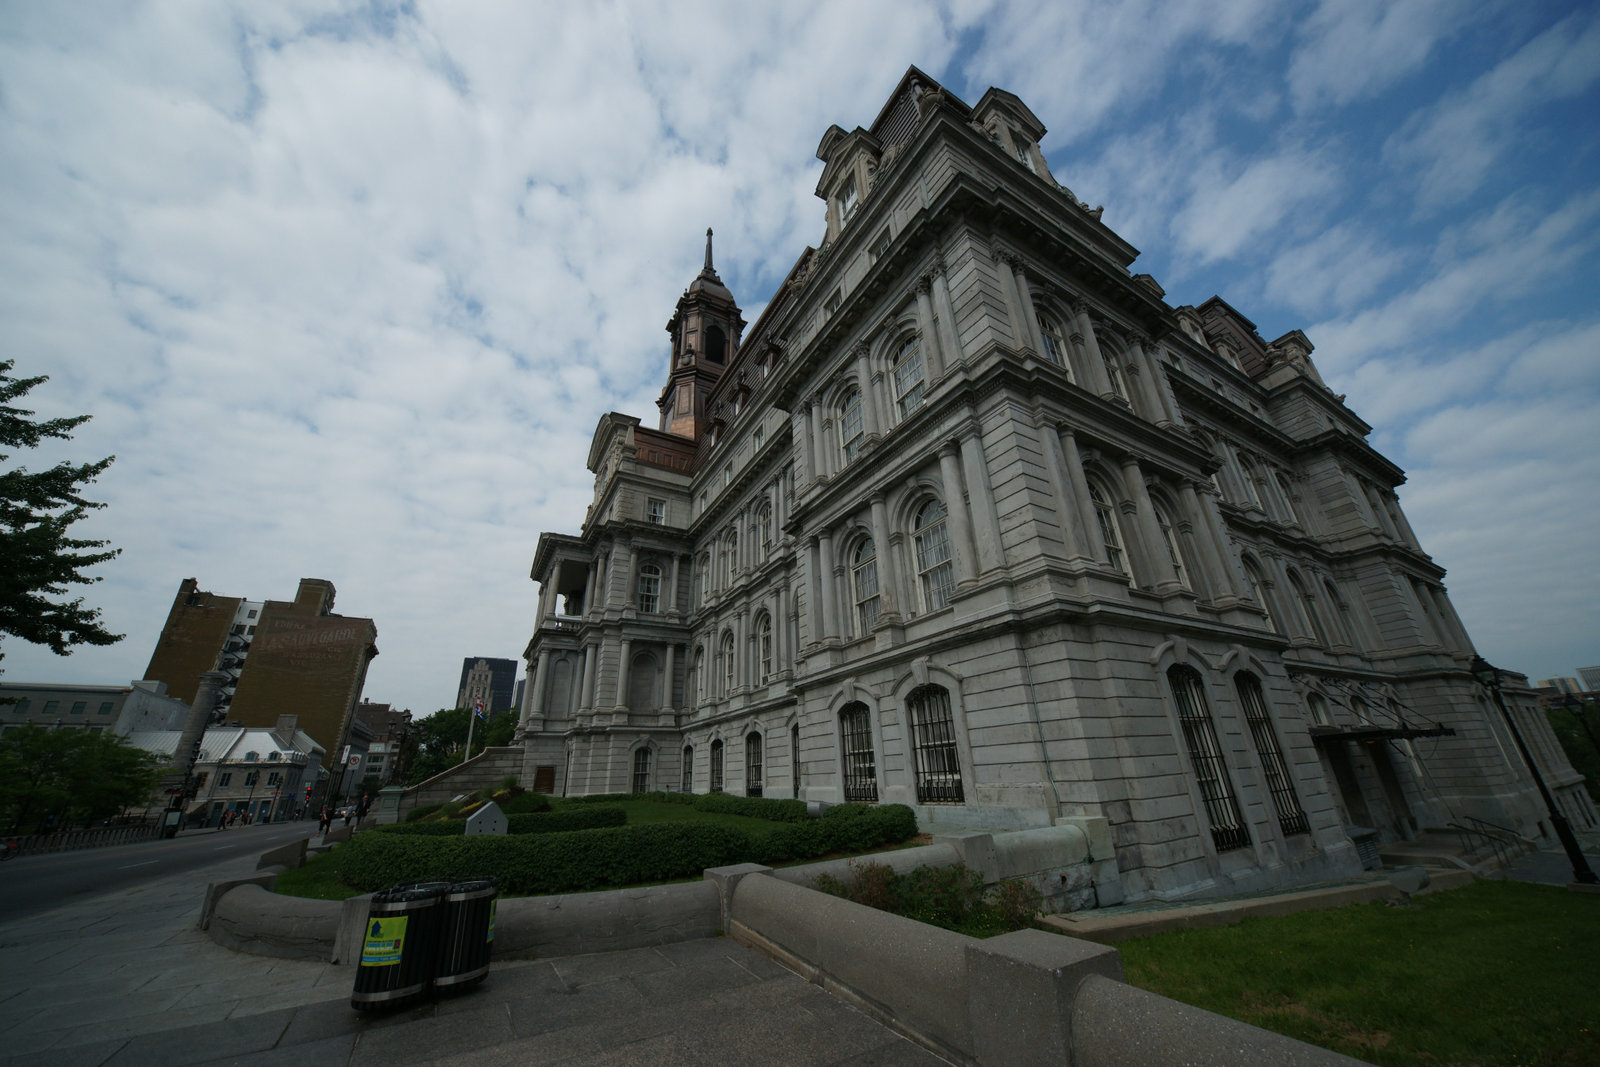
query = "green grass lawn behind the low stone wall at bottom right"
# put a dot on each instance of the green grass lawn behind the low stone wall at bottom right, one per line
(1492, 973)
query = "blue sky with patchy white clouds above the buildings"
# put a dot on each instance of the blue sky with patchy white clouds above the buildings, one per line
(346, 287)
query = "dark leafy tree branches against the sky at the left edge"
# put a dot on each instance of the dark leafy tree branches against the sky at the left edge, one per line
(39, 561)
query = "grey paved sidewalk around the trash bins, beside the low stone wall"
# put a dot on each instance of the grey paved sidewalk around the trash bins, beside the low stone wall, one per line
(127, 980)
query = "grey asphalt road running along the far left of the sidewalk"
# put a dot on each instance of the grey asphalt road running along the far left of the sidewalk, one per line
(36, 884)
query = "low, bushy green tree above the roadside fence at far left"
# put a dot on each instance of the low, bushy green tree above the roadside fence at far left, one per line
(55, 778)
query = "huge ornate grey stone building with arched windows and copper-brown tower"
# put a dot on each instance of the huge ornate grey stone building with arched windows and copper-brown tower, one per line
(972, 519)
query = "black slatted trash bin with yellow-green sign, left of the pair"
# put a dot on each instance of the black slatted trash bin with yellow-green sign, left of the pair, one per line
(401, 946)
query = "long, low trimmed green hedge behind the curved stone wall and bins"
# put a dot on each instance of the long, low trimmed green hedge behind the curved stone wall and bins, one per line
(618, 857)
